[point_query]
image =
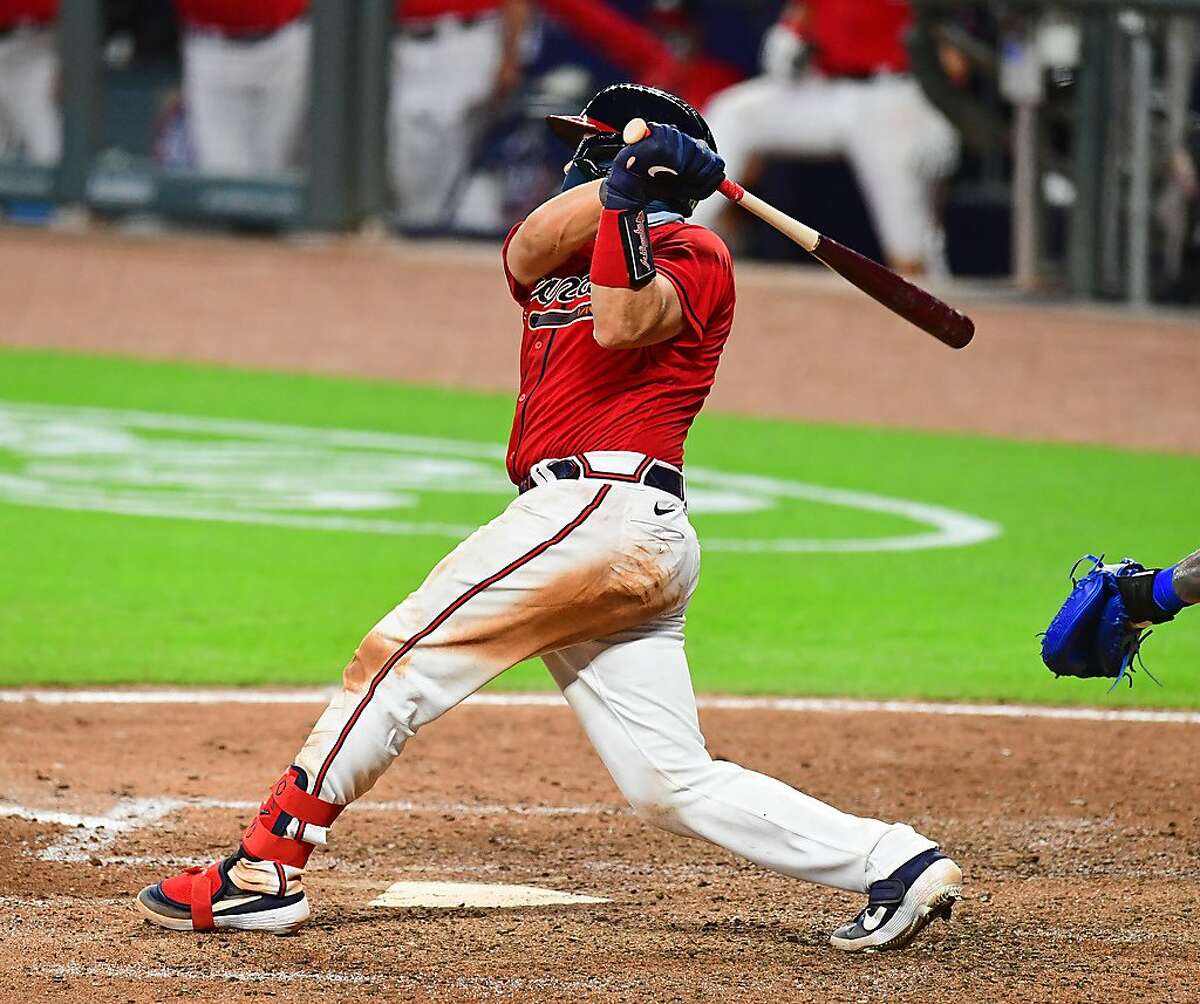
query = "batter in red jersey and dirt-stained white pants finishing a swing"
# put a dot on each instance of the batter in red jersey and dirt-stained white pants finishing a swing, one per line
(626, 310)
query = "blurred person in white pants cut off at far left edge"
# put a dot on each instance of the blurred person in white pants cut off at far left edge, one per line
(31, 124)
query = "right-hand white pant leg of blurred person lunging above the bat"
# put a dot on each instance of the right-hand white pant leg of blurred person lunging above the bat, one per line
(902, 149)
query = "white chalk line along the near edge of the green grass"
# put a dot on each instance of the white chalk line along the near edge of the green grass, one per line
(802, 705)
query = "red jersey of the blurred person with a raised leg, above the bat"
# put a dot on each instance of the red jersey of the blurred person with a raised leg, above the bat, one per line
(857, 38)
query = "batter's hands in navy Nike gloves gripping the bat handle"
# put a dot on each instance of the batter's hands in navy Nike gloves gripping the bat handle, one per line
(668, 164)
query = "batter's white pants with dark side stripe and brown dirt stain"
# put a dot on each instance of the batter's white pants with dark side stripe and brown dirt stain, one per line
(596, 578)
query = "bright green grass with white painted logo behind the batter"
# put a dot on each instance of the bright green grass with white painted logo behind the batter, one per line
(94, 598)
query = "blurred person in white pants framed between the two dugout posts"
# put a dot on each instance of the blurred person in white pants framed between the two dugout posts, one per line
(247, 68)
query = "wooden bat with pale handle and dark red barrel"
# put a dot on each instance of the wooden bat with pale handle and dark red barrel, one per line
(914, 304)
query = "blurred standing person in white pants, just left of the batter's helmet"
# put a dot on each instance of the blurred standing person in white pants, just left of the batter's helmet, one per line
(453, 63)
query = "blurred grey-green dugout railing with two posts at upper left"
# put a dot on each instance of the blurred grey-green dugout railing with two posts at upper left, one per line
(344, 179)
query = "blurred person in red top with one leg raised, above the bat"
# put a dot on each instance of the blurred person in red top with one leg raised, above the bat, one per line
(836, 83)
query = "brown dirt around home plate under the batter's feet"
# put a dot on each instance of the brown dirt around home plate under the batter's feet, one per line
(1079, 841)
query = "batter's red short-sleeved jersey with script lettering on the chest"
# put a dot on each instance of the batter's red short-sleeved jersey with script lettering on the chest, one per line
(579, 396)
